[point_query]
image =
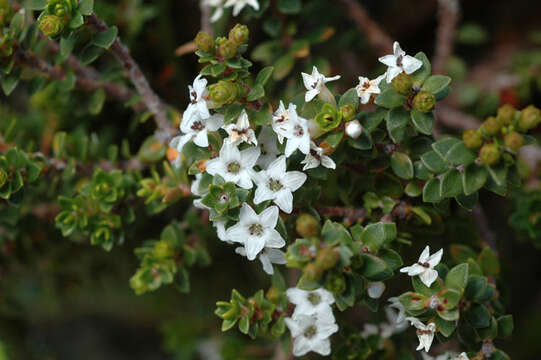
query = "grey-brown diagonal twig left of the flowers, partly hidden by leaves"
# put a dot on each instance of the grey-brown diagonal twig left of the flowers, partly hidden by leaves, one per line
(152, 101)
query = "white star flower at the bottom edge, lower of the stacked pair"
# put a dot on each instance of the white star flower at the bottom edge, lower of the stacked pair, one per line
(310, 334)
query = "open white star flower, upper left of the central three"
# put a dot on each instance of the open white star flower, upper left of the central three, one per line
(234, 165)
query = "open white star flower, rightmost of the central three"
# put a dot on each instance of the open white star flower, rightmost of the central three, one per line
(278, 185)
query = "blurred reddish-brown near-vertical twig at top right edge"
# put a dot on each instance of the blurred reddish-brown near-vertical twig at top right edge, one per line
(448, 16)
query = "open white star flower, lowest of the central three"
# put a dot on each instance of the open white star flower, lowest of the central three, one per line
(255, 231)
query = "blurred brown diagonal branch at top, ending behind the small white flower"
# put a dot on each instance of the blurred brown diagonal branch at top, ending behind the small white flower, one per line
(374, 33)
